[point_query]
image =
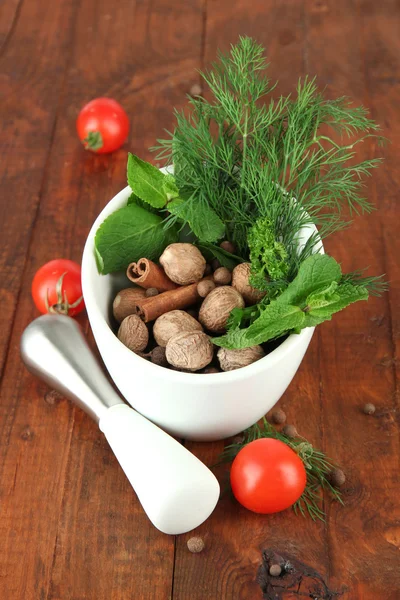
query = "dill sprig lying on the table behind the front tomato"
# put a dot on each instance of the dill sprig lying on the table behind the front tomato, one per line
(317, 465)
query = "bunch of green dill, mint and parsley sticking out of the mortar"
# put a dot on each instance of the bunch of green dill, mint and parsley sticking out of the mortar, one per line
(260, 172)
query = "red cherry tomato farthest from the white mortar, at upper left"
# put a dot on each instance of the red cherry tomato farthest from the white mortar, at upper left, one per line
(102, 125)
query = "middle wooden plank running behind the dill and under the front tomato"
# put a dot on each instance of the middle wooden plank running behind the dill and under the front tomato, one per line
(234, 537)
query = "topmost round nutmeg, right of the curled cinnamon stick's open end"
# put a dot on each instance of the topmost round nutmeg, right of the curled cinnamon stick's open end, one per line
(183, 263)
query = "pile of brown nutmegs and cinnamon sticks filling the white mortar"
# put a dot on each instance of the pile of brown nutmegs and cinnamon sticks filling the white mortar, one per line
(176, 307)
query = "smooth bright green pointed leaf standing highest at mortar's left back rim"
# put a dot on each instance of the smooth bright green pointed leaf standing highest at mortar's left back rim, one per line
(146, 181)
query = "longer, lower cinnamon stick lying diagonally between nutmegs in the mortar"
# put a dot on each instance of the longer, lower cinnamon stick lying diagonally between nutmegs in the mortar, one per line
(150, 309)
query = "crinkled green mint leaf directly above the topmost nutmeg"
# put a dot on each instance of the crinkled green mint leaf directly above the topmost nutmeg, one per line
(203, 221)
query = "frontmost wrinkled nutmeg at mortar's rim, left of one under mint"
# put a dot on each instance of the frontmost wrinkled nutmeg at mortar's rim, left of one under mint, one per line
(190, 351)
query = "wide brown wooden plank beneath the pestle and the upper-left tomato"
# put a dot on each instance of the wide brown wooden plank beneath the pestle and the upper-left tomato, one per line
(70, 525)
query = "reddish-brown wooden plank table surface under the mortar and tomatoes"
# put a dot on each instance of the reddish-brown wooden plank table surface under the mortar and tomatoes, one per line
(70, 526)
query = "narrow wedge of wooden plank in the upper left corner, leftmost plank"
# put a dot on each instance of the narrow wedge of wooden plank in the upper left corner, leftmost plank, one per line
(32, 62)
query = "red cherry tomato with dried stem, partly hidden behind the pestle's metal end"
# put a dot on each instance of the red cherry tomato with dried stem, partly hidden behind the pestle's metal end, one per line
(56, 288)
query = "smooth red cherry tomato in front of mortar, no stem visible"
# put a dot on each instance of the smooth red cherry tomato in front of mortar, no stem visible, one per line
(267, 476)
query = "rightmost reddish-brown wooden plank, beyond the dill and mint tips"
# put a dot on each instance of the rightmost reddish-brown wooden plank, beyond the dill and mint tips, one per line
(356, 347)
